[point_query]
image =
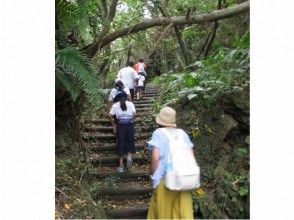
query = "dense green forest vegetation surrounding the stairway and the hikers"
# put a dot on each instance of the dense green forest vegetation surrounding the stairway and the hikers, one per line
(197, 53)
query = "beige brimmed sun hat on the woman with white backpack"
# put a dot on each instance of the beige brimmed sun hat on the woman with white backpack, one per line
(166, 117)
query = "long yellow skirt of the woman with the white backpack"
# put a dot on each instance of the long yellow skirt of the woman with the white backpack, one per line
(167, 204)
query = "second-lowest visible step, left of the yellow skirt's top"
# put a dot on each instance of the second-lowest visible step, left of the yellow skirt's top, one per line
(123, 193)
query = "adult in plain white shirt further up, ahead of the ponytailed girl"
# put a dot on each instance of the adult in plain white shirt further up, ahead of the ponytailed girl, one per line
(128, 75)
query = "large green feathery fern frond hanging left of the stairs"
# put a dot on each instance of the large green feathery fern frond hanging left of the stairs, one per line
(76, 73)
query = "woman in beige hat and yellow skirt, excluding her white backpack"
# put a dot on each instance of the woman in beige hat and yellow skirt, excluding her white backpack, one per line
(165, 203)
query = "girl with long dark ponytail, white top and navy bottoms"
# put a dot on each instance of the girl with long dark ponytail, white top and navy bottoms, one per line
(124, 111)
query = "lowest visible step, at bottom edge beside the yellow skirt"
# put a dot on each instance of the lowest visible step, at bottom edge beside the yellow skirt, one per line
(128, 213)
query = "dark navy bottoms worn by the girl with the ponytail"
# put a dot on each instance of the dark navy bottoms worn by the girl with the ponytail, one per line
(125, 139)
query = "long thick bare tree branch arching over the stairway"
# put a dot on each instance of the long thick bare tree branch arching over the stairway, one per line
(163, 21)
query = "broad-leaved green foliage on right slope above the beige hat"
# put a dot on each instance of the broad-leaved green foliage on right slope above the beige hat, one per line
(227, 70)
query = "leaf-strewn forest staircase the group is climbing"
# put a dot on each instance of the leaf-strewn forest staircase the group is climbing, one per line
(123, 195)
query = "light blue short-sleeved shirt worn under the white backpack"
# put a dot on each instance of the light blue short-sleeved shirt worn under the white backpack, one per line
(159, 140)
